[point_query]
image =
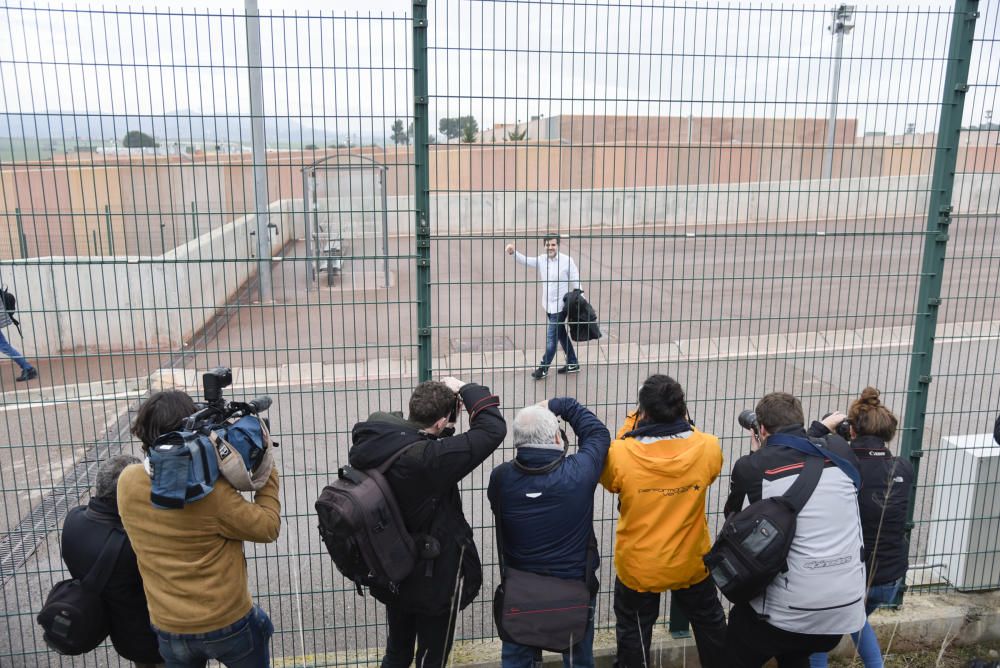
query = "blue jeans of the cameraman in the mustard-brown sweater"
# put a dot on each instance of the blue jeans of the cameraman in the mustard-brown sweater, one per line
(243, 644)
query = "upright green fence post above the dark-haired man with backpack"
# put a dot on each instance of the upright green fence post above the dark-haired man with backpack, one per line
(421, 190)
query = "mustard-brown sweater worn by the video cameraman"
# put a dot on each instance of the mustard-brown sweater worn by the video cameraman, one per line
(191, 559)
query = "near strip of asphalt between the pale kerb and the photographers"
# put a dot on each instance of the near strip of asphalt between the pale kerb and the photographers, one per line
(320, 619)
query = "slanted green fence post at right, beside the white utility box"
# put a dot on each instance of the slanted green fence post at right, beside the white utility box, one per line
(936, 240)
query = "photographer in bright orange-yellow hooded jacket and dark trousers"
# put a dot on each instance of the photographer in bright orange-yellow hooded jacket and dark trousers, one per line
(661, 466)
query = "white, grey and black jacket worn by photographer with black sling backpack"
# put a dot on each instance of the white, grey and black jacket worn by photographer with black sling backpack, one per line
(823, 590)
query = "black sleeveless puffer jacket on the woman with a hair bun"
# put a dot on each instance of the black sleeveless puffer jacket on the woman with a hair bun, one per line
(883, 499)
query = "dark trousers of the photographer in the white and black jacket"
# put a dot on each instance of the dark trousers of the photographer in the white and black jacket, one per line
(752, 642)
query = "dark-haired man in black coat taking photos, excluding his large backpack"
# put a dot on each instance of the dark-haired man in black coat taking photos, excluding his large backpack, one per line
(426, 460)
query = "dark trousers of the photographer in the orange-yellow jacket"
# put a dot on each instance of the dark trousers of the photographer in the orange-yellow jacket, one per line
(636, 613)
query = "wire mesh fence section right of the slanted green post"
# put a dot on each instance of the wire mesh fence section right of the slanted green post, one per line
(958, 506)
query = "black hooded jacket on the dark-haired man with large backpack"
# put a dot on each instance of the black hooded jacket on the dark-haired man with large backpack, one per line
(425, 482)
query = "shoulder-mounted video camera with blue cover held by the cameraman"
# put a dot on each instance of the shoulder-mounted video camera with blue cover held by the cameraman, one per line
(221, 438)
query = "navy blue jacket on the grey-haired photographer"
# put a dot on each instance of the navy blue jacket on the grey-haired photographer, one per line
(547, 519)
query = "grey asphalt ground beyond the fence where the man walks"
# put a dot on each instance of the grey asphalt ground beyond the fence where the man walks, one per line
(648, 291)
